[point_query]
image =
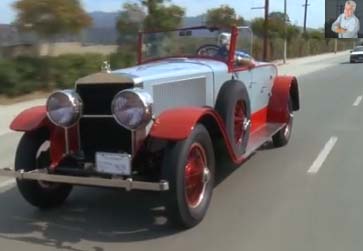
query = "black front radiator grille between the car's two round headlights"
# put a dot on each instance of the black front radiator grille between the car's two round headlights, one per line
(100, 133)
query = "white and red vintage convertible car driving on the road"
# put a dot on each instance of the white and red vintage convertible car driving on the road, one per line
(154, 126)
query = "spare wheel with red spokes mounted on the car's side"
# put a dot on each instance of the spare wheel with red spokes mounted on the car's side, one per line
(233, 104)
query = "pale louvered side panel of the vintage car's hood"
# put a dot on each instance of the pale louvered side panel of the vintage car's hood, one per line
(190, 92)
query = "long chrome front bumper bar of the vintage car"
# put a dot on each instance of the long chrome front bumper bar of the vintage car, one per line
(128, 184)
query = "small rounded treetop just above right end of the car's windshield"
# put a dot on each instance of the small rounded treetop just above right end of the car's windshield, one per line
(224, 16)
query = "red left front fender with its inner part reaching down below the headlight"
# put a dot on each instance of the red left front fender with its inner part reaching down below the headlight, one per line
(36, 118)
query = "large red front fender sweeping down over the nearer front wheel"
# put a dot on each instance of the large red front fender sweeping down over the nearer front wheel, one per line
(177, 124)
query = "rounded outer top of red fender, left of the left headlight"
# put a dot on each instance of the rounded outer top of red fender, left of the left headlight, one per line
(30, 120)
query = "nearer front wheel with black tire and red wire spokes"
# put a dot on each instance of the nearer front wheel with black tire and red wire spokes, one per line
(189, 166)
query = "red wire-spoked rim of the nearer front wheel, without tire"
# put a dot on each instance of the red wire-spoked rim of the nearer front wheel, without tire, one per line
(196, 175)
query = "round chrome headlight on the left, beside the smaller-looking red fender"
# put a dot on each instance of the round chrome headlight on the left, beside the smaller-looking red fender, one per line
(64, 108)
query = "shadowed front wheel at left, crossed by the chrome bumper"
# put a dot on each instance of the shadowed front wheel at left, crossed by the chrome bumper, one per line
(33, 153)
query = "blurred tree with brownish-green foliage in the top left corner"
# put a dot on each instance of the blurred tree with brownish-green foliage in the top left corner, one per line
(49, 18)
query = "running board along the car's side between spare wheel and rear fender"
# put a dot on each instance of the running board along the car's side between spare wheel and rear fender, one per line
(261, 136)
